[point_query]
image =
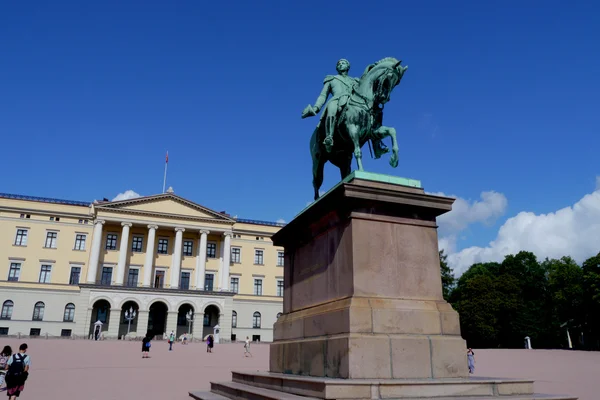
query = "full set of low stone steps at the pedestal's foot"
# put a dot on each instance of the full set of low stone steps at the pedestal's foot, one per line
(271, 386)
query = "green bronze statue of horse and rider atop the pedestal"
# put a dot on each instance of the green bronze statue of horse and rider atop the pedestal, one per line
(353, 116)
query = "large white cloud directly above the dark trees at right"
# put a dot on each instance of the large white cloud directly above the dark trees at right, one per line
(572, 231)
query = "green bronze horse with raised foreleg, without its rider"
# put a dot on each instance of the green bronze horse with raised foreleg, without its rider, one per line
(359, 120)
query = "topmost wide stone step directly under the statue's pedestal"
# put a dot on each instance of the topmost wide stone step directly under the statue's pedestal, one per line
(327, 388)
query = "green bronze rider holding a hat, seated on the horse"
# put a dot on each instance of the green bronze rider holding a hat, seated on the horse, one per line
(340, 87)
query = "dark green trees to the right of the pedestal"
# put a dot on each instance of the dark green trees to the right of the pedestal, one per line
(549, 301)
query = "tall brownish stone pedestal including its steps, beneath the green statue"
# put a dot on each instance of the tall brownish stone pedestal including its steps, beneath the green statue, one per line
(363, 312)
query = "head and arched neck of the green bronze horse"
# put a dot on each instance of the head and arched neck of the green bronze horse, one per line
(383, 76)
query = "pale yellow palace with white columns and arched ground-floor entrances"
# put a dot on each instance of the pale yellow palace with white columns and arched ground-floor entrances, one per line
(65, 265)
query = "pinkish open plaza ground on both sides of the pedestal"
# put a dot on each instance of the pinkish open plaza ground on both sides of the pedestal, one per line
(70, 369)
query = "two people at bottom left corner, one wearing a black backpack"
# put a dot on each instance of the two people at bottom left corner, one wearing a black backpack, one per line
(14, 370)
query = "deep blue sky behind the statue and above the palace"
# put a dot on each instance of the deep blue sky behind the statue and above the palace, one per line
(499, 96)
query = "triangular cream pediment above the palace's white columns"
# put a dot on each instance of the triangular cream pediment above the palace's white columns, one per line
(166, 204)
